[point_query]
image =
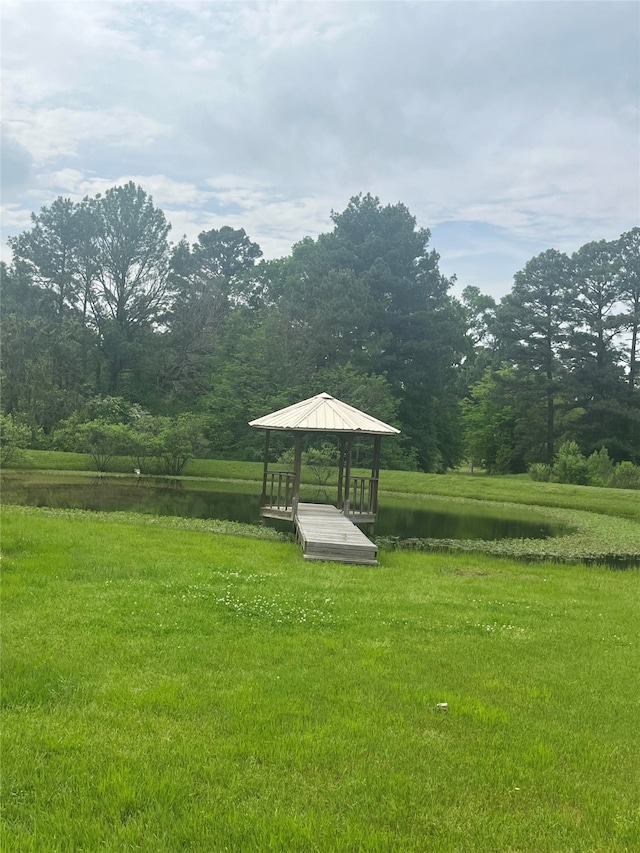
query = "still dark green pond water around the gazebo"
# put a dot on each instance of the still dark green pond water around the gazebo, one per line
(404, 518)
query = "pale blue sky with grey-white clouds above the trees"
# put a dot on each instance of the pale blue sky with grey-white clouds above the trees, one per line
(506, 127)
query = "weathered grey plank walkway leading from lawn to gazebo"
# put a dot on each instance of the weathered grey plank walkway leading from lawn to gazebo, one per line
(326, 534)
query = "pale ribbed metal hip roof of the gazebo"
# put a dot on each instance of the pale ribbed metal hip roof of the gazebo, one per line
(323, 413)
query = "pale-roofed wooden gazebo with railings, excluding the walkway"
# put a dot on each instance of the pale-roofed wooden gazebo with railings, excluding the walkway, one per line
(357, 497)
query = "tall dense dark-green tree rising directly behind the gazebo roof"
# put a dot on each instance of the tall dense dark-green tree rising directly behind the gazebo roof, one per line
(407, 327)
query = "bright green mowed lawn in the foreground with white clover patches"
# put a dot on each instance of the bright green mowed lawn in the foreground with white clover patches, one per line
(171, 690)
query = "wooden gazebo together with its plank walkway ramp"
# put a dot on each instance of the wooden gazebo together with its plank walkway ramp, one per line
(326, 532)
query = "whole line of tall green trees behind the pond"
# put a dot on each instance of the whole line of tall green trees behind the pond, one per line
(97, 305)
